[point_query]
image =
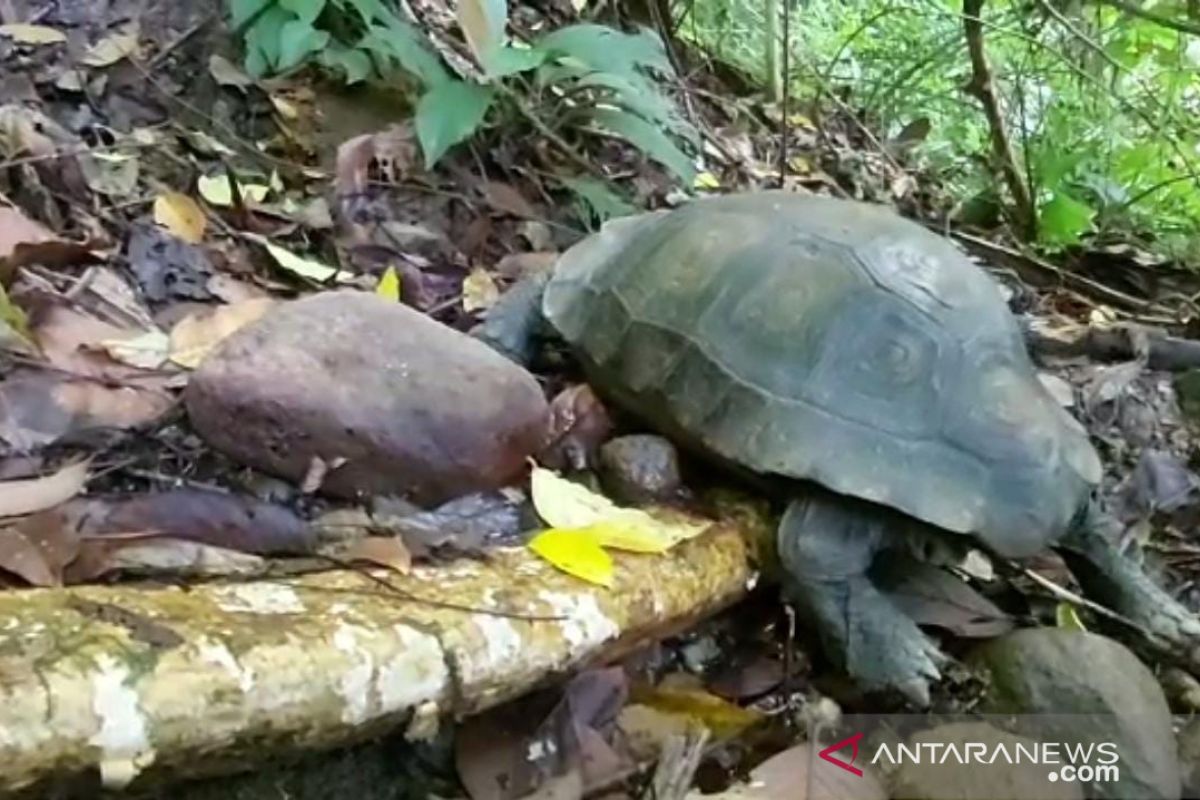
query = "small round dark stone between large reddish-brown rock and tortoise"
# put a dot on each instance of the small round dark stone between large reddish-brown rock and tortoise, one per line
(640, 470)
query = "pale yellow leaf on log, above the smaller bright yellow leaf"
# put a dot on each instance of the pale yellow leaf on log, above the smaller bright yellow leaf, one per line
(567, 506)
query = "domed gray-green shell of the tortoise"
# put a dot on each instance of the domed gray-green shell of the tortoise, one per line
(830, 341)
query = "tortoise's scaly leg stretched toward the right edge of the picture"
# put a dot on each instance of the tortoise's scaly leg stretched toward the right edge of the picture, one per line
(1114, 581)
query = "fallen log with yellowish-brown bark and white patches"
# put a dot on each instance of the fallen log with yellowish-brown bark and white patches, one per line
(140, 685)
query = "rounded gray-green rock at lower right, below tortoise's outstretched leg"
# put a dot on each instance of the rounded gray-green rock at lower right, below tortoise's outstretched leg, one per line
(1073, 687)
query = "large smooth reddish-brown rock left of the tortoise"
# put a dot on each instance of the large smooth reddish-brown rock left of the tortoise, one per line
(416, 408)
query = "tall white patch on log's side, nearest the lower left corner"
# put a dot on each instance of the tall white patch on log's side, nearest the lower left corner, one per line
(124, 747)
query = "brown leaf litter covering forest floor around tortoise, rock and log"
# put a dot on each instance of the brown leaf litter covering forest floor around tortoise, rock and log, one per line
(157, 200)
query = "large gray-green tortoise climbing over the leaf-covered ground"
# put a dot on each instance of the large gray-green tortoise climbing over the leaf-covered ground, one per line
(865, 364)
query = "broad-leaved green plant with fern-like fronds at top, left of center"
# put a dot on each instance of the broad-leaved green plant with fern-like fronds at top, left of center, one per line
(586, 79)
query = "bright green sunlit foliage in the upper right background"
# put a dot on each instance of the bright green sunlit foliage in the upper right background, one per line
(1102, 105)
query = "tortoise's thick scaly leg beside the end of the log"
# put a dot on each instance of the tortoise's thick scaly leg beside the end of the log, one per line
(827, 545)
